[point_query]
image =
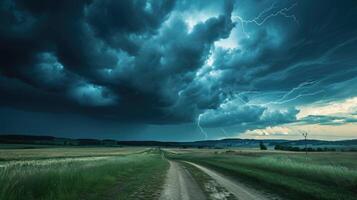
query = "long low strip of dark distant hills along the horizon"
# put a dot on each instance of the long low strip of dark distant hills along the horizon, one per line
(224, 143)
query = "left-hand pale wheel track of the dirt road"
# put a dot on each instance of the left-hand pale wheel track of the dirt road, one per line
(180, 185)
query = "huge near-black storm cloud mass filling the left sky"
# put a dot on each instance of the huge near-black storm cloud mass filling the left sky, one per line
(65, 48)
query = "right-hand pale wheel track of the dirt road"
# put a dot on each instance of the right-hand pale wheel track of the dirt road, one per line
(238, 190)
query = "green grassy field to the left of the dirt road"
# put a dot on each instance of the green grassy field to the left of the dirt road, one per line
(81, 173)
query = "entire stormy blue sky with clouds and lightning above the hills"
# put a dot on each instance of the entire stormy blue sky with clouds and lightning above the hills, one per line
(179, 70)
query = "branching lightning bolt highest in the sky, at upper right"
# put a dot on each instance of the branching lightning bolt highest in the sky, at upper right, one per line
(259, 20)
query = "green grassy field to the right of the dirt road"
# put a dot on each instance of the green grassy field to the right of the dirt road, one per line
(324, 175)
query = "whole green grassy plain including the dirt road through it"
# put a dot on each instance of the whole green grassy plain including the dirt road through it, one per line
(175, 173)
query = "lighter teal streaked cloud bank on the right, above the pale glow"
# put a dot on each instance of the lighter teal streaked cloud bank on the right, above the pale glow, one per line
(312, 59)
